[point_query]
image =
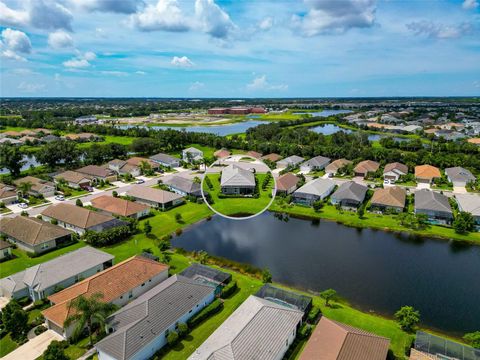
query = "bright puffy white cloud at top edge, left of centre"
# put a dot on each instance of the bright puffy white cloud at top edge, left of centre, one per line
(165, 15)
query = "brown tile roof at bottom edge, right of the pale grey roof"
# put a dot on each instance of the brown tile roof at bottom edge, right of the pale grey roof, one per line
(332, 340)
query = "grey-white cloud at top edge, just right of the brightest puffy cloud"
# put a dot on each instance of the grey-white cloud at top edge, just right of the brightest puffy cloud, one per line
(213, 19)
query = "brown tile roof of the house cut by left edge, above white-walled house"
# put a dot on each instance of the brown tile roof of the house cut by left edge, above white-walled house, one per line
(31, 231)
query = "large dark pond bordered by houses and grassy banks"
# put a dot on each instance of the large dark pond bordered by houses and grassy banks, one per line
(373, 270)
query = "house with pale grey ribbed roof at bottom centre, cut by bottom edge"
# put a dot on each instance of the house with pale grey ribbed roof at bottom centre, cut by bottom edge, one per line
(258, 329)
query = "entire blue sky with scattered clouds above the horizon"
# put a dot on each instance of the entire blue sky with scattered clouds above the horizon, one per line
(239, 48)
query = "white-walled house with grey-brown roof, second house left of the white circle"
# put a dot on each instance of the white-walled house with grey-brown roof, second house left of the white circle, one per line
(160, 199)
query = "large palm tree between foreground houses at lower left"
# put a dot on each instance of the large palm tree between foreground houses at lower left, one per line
(88, 311)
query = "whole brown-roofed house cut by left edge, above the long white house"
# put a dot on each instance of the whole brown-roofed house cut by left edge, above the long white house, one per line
(33, 235)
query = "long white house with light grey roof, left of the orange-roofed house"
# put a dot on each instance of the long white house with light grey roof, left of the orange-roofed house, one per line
(42, 280)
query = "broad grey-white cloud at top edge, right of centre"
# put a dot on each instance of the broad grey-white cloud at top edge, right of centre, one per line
(327, 16)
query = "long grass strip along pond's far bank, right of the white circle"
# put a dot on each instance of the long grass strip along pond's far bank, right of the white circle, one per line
(375, 221)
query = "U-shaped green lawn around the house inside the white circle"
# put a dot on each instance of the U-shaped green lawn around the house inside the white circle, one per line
(232, 206)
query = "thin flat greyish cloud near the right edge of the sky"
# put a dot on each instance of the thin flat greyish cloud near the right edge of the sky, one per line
(439, 31)
